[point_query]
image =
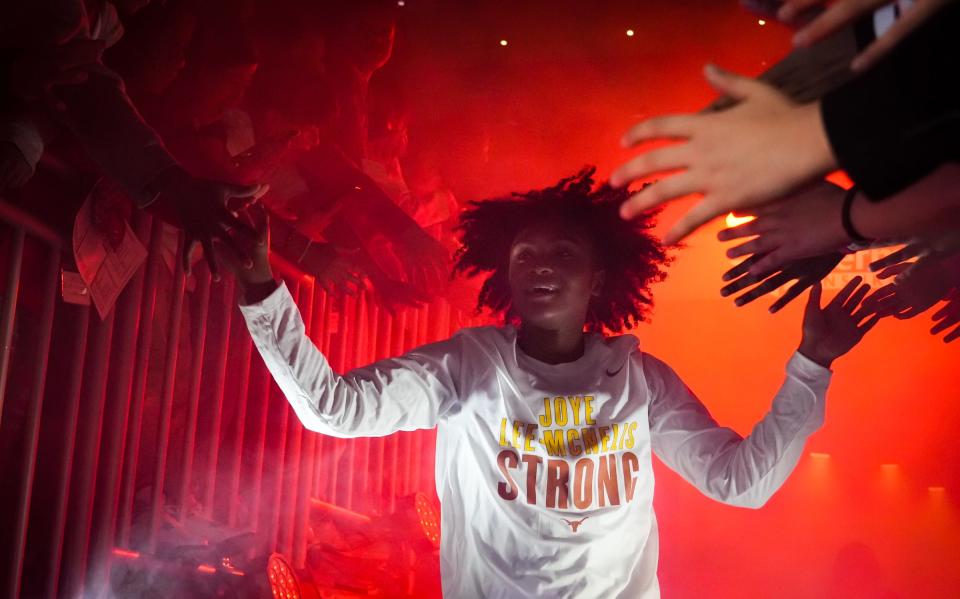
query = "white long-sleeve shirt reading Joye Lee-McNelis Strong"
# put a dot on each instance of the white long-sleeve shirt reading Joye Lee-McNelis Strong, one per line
(544, 472)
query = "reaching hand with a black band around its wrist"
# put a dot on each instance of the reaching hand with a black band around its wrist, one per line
(802, 225)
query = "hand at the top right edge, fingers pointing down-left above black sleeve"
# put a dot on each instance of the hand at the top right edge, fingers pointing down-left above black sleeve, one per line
(843, 12)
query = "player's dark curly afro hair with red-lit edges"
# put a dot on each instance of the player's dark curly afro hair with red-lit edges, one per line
(630, 256)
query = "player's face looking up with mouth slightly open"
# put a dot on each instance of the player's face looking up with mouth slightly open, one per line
(553, 276)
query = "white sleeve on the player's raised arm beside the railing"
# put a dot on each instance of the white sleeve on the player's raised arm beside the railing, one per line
(406, 393)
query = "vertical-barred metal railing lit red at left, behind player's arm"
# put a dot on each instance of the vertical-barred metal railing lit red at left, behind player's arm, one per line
(162, 412)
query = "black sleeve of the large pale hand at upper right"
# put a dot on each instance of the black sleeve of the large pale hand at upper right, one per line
(900, 120)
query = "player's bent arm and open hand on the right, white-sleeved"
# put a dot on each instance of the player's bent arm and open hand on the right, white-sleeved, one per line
(747, 471)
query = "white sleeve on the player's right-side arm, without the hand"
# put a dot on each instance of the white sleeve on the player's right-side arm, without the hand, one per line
(724, 466)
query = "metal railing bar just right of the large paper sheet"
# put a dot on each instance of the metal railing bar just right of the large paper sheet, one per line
(131, 453)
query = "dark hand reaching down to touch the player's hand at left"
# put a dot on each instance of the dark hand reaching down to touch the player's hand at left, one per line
(202, 208)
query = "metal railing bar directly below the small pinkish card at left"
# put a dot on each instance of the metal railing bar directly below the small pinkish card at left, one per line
(65, 455)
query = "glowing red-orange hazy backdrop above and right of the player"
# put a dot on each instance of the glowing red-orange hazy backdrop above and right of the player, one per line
(559, 95)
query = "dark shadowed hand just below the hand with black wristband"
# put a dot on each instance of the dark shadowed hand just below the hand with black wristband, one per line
(805, 271)
